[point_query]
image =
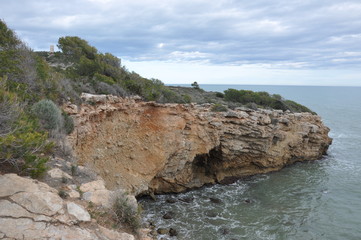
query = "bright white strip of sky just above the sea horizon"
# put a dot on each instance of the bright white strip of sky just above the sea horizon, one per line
(186, 73)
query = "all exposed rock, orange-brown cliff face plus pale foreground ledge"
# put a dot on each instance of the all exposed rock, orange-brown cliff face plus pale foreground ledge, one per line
(125, 145)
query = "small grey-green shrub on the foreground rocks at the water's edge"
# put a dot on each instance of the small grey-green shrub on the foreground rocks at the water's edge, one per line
(125, 213)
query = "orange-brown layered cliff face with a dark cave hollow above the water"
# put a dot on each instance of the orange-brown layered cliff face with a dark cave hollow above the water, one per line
(144, 146)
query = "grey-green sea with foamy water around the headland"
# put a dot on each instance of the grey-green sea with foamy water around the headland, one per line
(310, 200)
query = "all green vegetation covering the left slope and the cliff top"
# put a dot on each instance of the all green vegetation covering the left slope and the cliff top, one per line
(34, 84)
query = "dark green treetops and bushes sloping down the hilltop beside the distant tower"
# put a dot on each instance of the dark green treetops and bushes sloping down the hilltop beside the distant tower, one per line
(92, 68)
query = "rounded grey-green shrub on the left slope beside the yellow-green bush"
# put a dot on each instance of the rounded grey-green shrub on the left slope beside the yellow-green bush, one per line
(49, 114)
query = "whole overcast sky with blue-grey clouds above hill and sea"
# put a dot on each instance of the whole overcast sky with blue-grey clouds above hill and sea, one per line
(292, 42)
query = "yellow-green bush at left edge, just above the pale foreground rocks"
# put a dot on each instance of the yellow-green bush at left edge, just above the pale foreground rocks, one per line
(23, 146)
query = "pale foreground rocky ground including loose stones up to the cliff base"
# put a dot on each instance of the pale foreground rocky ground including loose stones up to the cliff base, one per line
(72, 204)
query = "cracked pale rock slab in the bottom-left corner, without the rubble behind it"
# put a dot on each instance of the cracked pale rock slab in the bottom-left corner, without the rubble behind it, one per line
(32, 210)
